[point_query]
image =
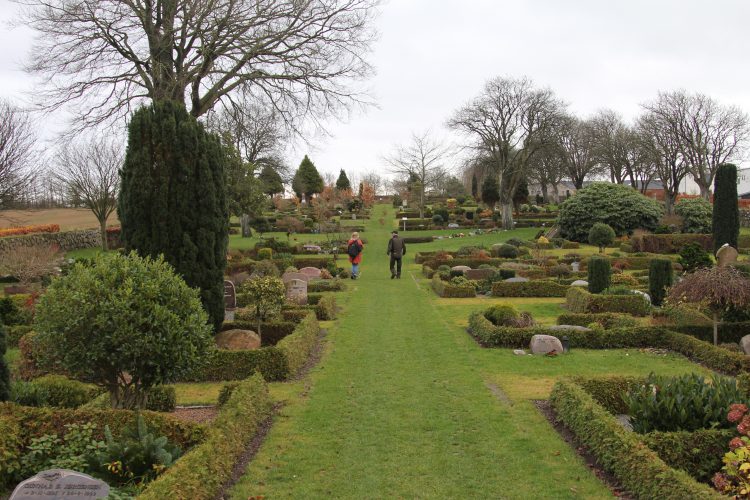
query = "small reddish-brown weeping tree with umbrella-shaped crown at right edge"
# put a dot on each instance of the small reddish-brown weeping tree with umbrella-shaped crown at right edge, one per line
(716, 288)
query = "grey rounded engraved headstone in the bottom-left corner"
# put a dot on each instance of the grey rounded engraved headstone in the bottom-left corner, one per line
(60, 483)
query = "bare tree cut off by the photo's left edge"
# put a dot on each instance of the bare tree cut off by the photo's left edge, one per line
(17, 141)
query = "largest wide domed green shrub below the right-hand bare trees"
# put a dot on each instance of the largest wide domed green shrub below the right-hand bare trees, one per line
(621, 207)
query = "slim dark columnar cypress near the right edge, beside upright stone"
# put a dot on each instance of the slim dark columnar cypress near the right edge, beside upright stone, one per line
(726, 217)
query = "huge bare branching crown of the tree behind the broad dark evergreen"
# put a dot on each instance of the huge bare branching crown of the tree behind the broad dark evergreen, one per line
(105, 57)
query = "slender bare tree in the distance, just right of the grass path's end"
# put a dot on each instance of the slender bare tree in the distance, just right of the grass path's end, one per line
(421, 159)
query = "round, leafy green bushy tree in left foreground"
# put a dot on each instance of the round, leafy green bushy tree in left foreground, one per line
(126, 323)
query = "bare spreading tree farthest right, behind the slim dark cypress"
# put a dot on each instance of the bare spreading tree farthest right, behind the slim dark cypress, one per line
(708, 133)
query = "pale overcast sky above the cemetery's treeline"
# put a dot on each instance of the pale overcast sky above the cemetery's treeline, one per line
(434, 55)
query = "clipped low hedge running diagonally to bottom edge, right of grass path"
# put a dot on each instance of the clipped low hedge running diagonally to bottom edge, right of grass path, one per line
(620, 452)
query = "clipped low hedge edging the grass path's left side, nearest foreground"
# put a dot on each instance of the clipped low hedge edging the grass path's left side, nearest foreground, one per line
(203, 471)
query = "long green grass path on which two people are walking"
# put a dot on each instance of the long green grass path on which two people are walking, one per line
(399, 408)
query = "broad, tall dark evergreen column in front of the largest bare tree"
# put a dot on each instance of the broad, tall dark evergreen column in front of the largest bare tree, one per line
(173, 199)
